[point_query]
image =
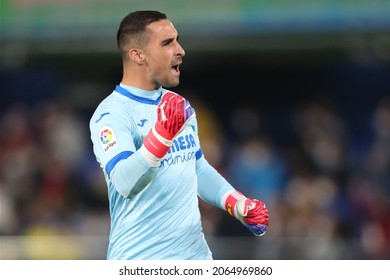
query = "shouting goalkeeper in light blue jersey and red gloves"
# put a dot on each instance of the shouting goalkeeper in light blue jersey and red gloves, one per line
(145, 138)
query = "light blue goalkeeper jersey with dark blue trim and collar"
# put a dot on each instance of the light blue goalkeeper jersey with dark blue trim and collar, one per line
(154, 210)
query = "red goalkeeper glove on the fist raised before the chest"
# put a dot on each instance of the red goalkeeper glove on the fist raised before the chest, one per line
(173, 114)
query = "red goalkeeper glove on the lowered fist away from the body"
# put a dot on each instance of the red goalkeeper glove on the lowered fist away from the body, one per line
(250, 212)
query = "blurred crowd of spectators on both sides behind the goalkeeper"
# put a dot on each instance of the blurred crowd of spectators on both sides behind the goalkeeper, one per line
(328, 195)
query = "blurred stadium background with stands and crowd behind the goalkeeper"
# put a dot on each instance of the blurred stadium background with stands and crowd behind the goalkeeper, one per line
(293, 100)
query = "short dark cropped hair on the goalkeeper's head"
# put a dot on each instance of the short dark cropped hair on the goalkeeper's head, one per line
(133, 25)
